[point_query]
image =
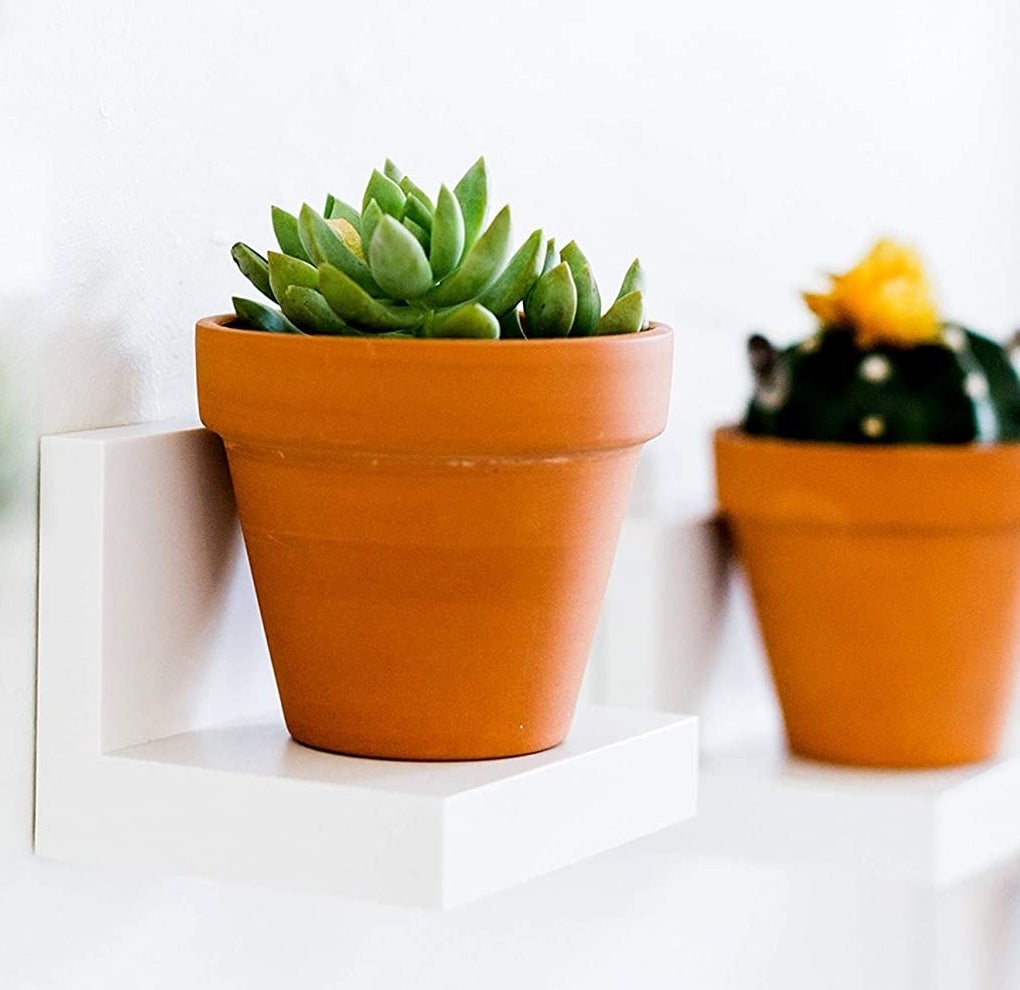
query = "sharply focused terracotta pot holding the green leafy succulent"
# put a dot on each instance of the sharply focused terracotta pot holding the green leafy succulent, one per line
(431, 525)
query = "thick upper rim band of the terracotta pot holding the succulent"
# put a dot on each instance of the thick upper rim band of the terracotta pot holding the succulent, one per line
(449, 398)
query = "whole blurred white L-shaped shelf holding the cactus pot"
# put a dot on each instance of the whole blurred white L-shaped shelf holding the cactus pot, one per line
(679, 634)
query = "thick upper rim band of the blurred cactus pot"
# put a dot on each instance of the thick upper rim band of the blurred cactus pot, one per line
(901, 488)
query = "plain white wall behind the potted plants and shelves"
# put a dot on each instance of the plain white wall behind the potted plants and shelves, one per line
(737, 146)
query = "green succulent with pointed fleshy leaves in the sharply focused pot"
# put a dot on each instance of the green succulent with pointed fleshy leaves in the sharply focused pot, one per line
(403, 266)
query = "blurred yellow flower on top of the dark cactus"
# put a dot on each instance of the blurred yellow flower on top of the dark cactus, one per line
(886, 299)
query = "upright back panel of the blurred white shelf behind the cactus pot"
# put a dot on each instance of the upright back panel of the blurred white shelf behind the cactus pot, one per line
(678, 633)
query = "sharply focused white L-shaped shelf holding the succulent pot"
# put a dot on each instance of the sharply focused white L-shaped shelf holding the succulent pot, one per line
(155, 750)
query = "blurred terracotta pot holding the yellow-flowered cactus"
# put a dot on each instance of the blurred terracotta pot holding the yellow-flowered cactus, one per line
(886, 582)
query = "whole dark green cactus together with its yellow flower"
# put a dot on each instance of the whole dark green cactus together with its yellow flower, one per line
(884, 368)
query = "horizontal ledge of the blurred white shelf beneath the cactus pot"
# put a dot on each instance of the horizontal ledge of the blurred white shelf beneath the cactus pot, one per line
(933, 828)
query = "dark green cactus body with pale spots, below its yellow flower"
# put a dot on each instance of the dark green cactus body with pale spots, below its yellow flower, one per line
(959, 389)
